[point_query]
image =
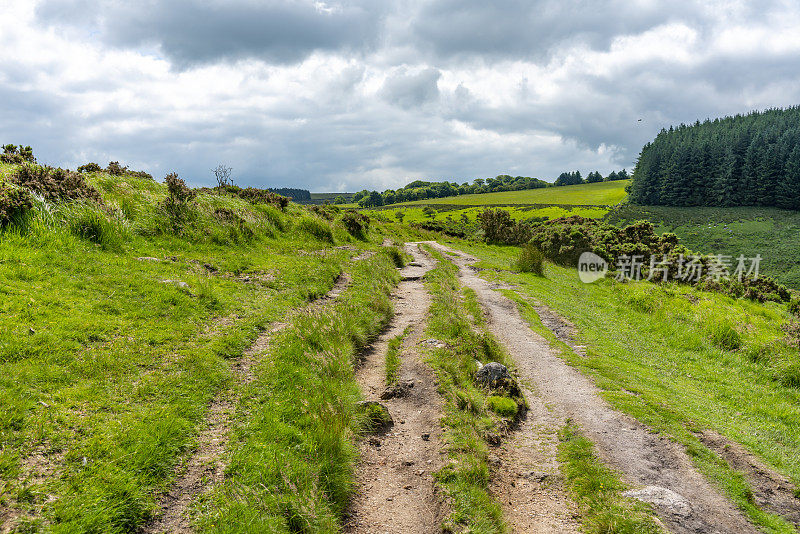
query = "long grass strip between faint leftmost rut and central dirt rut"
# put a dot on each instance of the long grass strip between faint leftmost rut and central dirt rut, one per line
(291, 454)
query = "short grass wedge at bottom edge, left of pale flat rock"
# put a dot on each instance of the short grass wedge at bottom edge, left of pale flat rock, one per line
(597, 489)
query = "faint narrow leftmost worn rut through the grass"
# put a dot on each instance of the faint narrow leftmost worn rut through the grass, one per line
(205, 467)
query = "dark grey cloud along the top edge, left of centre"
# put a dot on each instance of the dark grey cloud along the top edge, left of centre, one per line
(190, 32)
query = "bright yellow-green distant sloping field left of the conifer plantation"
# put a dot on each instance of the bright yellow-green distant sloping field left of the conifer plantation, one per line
(598, 194)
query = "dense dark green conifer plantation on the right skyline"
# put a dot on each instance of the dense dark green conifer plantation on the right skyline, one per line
(745, 160)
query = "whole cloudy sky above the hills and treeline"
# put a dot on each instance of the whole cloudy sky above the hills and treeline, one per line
(343, 95)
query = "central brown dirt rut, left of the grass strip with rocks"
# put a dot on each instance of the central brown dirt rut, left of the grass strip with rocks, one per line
(395, 488)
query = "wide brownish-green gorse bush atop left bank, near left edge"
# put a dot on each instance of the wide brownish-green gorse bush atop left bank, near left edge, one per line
(55, 184)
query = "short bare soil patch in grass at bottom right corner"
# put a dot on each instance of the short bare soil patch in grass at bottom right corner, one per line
(772, 491)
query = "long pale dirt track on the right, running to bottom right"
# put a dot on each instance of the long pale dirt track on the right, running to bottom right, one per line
(643, 458)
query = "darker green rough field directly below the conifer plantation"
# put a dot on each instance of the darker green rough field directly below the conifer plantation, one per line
(773, 233)
